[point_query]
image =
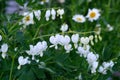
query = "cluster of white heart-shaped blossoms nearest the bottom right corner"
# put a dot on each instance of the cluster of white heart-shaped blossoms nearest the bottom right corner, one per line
(106, 66)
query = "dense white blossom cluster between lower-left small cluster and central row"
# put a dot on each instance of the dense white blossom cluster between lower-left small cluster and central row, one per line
(37, 49)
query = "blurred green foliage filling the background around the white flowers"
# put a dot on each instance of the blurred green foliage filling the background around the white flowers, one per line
(58, 64)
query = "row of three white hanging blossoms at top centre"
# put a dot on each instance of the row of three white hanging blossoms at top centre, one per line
(53, 13)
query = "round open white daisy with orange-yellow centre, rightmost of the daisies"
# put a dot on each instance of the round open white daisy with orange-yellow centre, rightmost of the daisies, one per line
(93, 14)
